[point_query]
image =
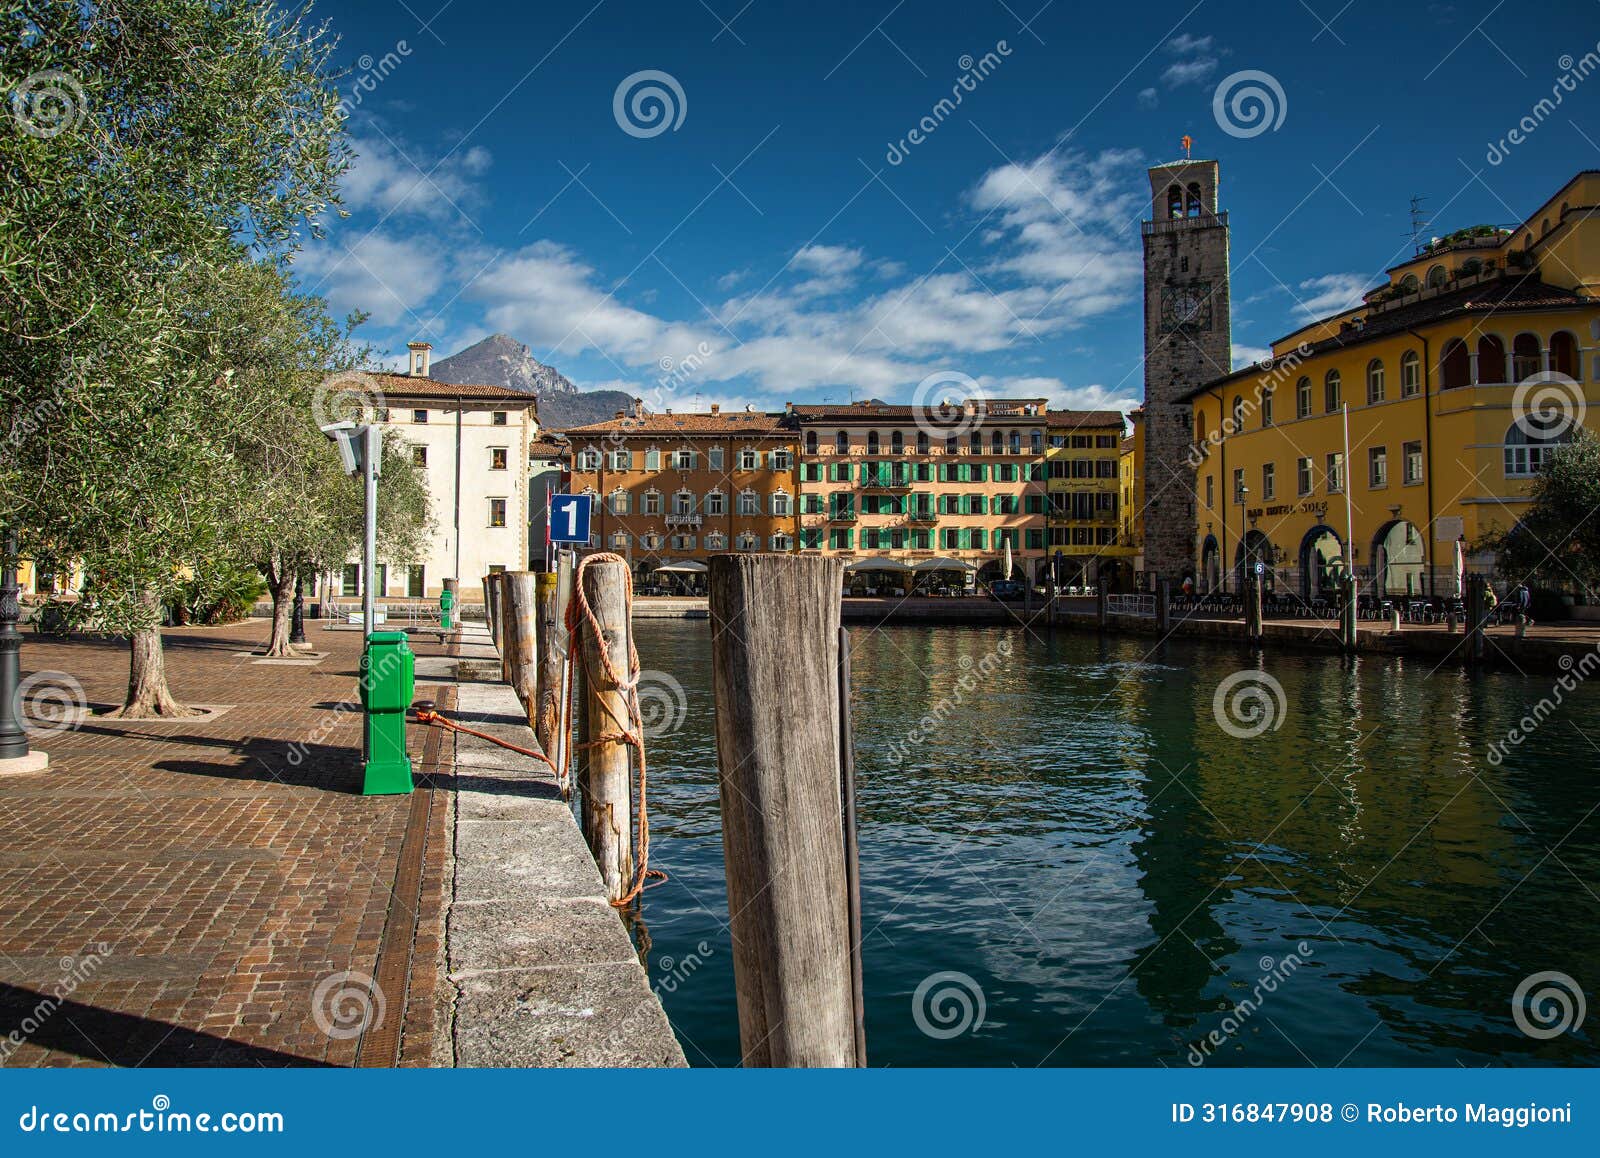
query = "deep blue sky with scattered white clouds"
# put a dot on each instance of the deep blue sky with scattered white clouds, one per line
(785, 241)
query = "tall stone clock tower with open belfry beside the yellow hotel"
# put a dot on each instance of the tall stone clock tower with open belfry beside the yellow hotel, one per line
(1186, 343)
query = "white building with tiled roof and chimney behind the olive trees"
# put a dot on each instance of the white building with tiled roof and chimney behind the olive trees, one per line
(474, 444)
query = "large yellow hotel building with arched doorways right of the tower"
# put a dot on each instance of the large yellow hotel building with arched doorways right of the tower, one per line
(1433, 389)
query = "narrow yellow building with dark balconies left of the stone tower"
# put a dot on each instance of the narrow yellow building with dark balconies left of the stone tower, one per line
(1084, 493)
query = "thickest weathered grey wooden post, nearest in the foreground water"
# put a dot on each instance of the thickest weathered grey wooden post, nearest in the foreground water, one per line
(775, 669)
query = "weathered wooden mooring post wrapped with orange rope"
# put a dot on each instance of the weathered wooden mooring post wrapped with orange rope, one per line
(607, 812)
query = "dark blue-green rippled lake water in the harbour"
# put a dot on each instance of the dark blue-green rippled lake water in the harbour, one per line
(1086, 857)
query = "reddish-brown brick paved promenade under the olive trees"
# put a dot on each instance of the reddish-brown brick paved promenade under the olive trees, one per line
(174, 893)
